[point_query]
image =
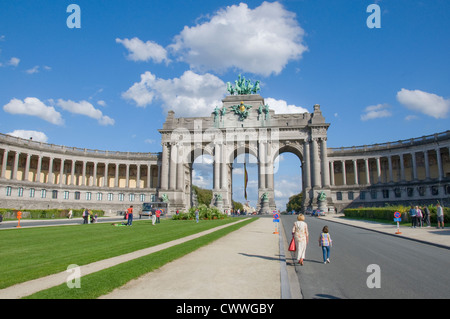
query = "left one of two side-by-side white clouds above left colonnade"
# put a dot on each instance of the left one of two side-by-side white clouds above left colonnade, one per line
(34, 107)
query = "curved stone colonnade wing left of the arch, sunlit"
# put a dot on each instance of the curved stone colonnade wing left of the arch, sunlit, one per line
(37, 175)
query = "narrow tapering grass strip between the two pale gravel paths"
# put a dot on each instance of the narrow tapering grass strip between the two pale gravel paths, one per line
(105, 281)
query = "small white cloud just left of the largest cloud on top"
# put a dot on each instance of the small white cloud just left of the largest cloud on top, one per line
(144, 51)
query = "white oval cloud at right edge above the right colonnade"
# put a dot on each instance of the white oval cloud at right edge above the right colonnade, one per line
(423, 102)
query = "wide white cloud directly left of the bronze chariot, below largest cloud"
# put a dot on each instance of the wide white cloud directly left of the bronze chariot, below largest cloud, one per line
(189, 95)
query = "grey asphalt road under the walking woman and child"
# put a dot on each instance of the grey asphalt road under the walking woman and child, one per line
(362, 260)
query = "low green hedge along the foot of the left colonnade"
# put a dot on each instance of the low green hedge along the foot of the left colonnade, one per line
(45, 213)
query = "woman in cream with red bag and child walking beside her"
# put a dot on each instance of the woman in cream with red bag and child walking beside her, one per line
(301, 236)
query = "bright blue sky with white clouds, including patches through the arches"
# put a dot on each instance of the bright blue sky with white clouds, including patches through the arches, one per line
(108, 85)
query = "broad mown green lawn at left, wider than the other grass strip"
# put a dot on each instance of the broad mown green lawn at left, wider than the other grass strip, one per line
(30, 253)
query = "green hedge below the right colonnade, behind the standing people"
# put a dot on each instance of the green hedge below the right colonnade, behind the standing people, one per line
(387, 213)
